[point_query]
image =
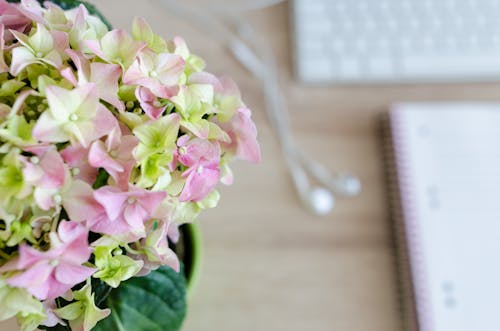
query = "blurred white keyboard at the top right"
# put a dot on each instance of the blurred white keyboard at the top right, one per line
(393, 41)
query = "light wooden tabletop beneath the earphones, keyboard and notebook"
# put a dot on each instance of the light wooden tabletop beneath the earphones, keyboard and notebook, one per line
(269, 264)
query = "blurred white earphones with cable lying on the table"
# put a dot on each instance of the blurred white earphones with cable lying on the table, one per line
(258, 58)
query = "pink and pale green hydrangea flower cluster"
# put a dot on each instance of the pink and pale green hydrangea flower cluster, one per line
(108, 141)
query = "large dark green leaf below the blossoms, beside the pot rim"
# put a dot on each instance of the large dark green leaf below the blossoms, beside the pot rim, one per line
(156, 302)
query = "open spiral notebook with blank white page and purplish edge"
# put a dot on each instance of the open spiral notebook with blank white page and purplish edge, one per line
(445, 175)
